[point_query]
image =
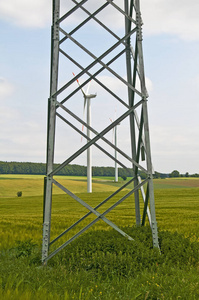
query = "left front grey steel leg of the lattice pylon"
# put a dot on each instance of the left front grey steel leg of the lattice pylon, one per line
(51, 129)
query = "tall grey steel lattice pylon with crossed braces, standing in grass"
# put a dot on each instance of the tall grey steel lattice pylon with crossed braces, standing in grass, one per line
(98, 41)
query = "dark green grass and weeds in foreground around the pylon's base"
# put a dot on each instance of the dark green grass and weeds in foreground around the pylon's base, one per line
(104, 265)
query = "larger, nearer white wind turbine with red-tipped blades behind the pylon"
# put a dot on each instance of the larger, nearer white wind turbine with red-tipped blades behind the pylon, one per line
(87, 101)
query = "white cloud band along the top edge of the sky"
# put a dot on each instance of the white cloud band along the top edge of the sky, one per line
(179, 18)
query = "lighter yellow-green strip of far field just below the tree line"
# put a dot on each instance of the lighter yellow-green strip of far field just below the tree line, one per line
(32, 185)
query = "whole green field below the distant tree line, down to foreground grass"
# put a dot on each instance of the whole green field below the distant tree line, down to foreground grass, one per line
(100, 264)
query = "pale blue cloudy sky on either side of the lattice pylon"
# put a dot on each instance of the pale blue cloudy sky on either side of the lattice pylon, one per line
(171, 47)
